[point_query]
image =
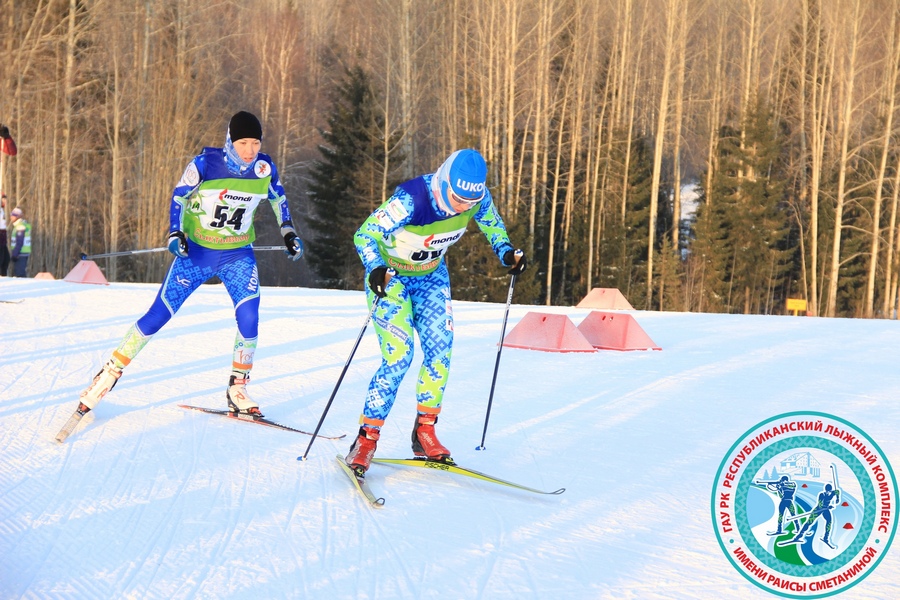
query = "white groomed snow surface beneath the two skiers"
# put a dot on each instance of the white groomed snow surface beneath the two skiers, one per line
(148, 500)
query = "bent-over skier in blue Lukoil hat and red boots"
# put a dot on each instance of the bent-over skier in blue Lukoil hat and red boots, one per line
(402, 246)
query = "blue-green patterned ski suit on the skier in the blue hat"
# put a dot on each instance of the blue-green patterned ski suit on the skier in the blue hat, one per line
(410, 233)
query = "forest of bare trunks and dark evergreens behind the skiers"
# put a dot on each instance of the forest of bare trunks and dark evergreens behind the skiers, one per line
(698, 155)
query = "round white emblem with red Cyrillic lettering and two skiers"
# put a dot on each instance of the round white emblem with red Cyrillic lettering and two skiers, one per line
(804, 505)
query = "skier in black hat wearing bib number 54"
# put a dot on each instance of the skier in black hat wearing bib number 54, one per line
(211, 234)
